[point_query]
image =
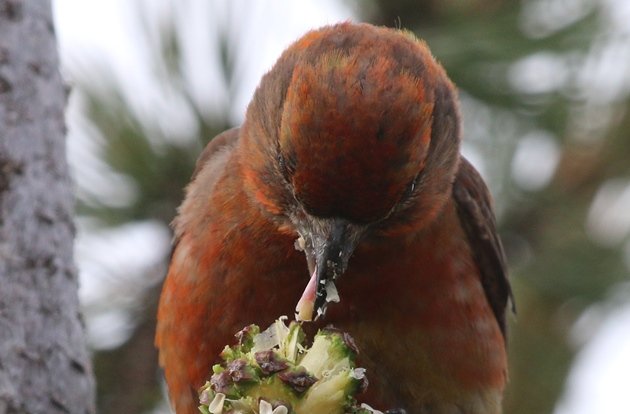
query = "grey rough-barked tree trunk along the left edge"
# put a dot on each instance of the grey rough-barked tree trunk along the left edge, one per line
(44, 363)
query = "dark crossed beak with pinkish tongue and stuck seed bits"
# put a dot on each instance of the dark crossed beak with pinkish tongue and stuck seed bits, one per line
(328, 245)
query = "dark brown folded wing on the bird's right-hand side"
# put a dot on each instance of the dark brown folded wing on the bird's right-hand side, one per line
(474, 207)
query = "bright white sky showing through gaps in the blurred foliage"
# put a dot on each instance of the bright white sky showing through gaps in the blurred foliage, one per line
(105, 32)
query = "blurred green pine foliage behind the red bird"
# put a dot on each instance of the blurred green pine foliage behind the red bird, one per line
(558, 269)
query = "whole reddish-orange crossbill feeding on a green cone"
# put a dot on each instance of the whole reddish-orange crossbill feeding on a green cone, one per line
(346, 172)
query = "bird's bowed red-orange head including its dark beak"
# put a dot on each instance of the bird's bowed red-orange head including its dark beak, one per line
(354, 130)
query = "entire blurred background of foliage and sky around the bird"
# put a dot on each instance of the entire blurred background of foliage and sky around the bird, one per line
(545, 92)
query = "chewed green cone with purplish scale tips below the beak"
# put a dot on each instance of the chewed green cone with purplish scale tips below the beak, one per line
(273, 372)
